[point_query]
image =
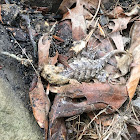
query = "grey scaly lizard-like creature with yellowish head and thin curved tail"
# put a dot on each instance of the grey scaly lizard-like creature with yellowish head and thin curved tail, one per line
(83, 69)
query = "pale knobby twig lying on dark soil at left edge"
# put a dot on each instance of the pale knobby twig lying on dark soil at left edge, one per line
(24, 61)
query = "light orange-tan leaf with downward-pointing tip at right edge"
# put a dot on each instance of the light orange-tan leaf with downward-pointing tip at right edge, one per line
(135, 73)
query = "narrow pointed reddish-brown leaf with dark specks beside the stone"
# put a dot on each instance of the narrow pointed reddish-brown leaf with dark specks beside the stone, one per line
(39, 103)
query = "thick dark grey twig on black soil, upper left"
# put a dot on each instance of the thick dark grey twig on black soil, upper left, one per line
(27, 19)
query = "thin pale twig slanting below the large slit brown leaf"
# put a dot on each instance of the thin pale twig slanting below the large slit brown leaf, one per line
(85, 128)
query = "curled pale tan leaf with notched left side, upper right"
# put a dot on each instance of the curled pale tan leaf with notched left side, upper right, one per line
(120, 24)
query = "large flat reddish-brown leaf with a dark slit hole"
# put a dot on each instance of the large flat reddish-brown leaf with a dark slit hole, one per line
(77, 98)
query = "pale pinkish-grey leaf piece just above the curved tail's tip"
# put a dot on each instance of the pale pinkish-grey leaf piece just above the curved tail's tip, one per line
(118, 40)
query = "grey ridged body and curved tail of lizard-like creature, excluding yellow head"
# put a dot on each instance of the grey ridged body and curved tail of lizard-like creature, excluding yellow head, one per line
(86, 69)
